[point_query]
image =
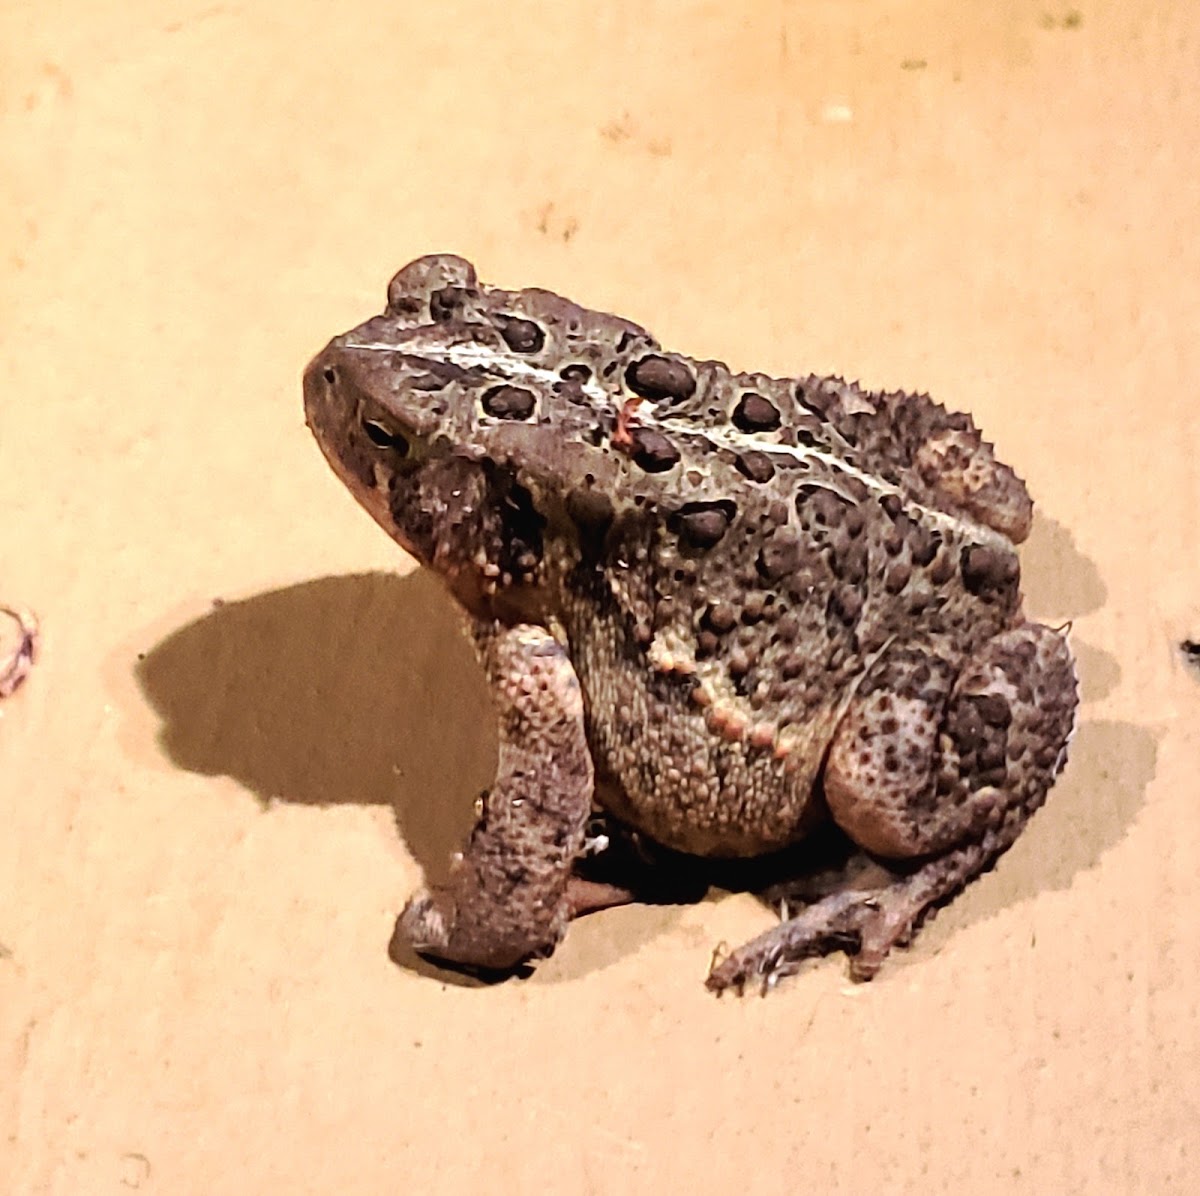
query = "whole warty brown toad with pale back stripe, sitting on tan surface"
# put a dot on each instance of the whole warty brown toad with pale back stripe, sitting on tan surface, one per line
(749, 605)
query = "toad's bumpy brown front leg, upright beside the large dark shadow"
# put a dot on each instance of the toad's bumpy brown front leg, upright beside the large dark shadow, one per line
(511, 892)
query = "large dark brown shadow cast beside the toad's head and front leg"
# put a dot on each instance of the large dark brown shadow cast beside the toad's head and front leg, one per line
(359, 689)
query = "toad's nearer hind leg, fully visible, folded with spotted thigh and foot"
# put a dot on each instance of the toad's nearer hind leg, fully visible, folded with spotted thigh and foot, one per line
(941, 773)
